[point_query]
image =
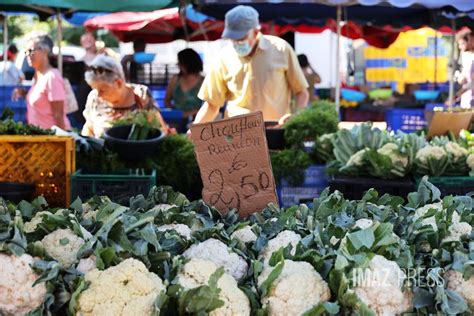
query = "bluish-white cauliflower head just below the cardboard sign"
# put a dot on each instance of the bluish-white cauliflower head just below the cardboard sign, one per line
(216, 251)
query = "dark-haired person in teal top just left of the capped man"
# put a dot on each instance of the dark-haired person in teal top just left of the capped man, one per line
(183, 88)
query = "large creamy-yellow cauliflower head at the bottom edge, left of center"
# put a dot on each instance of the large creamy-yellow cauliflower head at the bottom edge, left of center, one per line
(125, 289)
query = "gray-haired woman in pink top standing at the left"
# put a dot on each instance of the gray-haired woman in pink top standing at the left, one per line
(45, 100)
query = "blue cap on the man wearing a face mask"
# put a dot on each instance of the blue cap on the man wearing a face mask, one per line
(239, 21)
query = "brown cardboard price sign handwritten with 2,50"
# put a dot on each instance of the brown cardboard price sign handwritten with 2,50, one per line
(235, 164)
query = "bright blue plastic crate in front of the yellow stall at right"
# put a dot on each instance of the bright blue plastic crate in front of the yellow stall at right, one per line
(406, 120)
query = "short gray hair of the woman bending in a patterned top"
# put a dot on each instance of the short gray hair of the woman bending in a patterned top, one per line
(113, 65)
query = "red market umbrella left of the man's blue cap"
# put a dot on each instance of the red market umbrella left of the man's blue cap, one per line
(160, 26)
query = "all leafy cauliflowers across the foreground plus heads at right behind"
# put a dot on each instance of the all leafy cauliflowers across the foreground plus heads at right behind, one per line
(169, 258)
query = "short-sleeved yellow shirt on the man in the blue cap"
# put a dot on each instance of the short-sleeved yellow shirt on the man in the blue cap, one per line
(263, 82)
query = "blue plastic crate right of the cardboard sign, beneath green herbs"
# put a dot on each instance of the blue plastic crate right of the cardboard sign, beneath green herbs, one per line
(315, 182)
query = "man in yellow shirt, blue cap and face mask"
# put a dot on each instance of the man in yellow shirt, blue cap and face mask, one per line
(256, 73)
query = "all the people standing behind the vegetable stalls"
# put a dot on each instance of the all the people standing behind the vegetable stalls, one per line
(255, 72)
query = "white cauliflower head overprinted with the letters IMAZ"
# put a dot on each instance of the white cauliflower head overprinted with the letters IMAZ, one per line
(380, 287)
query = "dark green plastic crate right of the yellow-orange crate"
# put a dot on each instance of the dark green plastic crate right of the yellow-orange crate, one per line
(119, 187)
